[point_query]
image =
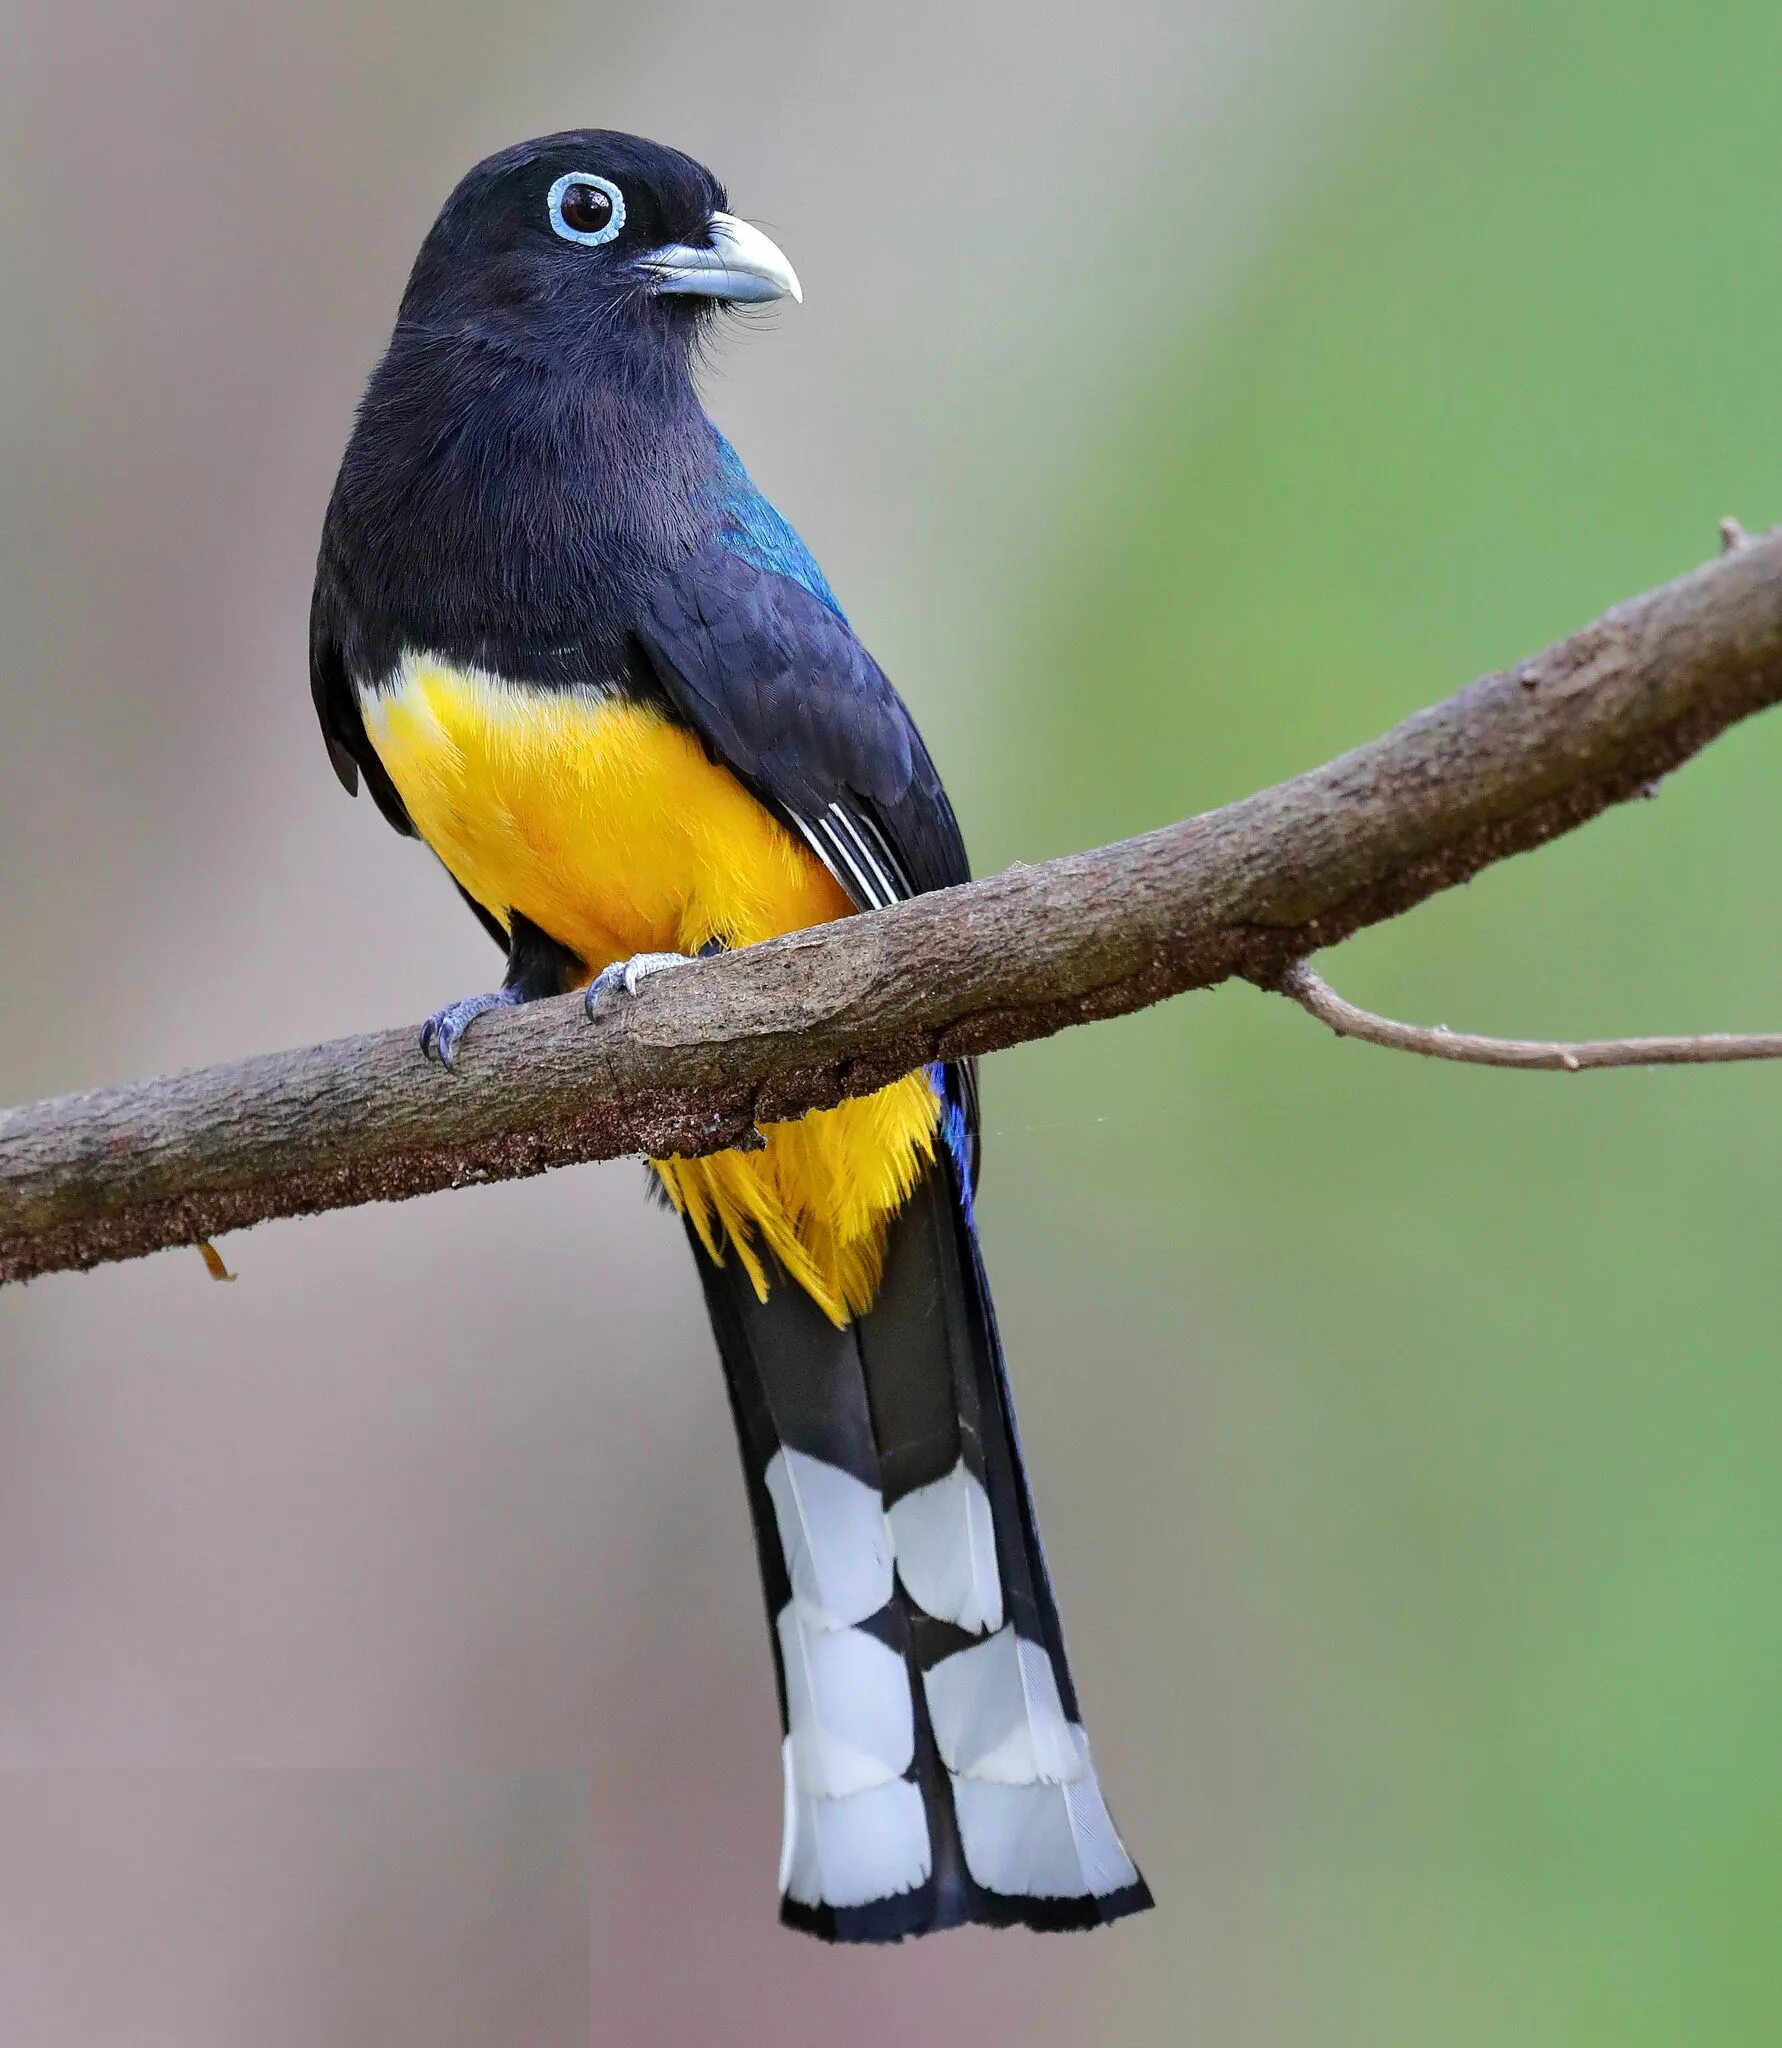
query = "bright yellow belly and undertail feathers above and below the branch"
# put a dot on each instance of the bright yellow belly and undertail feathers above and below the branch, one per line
(616, 835)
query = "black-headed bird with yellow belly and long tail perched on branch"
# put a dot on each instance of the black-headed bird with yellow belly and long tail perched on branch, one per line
(566, 642)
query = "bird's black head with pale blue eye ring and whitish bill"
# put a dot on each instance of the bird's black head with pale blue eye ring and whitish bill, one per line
(587, 239)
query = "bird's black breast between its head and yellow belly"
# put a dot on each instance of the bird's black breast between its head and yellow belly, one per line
(509, 511)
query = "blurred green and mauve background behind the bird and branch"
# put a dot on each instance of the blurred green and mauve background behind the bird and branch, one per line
(1185, 392)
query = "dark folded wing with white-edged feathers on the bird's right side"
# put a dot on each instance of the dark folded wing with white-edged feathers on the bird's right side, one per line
(779, 689)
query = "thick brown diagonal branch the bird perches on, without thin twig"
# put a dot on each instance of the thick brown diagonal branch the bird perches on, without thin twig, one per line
(710, 1052)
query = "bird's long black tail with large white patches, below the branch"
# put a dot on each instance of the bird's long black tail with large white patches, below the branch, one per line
(935, 1762)
